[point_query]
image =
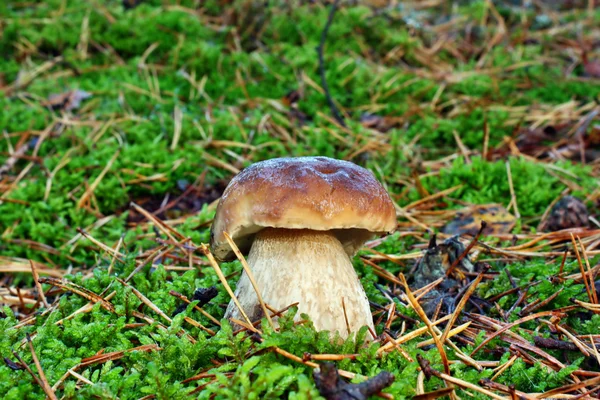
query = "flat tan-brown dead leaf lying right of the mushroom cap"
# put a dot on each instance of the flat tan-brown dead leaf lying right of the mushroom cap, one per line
(468, 220)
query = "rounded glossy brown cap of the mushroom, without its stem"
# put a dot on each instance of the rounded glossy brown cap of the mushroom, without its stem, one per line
(317, 193)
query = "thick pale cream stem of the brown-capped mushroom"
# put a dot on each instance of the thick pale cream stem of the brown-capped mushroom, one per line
(308, 267)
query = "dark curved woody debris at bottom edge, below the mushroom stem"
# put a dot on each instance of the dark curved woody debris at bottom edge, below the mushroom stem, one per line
(332, 387)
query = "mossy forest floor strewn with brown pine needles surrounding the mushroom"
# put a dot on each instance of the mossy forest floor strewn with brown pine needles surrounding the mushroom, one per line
(123, 121)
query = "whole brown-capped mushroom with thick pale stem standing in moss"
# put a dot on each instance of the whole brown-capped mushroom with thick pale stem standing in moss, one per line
(301, 219)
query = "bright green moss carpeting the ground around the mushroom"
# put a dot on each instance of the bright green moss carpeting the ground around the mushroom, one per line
(225, 71)
